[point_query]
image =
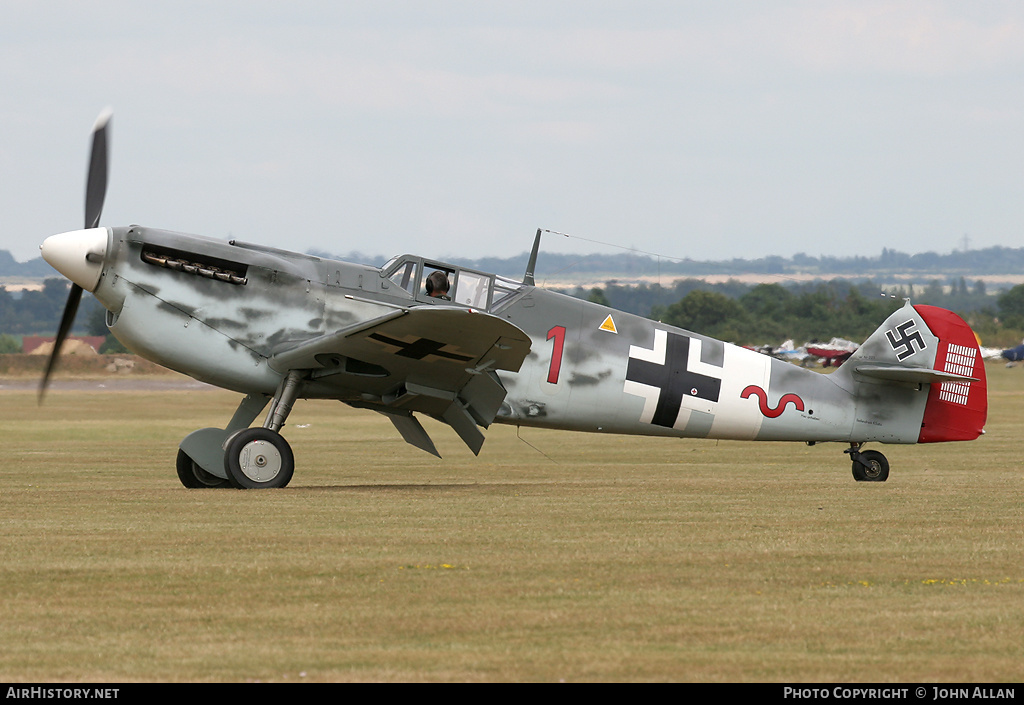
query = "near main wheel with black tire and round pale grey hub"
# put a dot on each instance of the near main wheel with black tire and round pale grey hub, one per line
(259, 459)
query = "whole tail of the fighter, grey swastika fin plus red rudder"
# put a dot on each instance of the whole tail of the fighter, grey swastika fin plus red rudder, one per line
(933, 351)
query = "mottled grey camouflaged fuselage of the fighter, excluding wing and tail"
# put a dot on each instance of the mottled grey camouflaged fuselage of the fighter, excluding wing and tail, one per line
(219, 312)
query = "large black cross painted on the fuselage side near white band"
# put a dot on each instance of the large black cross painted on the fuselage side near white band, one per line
(674, 381)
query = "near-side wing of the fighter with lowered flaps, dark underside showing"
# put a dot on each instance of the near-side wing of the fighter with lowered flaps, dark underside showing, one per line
(434, 360)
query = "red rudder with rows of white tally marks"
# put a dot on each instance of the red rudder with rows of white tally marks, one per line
(956, 411)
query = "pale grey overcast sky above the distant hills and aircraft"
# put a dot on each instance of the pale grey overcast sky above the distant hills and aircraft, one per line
(693, 130)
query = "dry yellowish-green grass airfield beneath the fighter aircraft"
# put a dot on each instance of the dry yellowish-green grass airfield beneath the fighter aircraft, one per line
(554, 557)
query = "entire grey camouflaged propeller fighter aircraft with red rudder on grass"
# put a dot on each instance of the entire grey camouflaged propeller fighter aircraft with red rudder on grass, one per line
(420, 337)
